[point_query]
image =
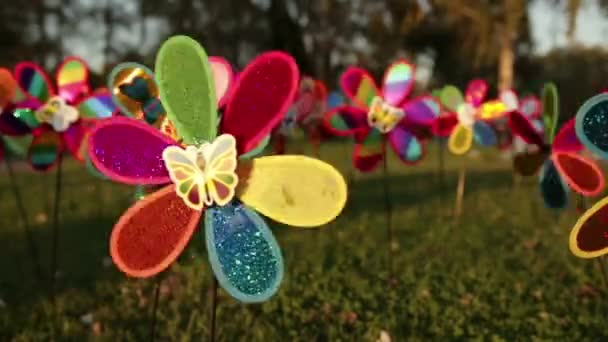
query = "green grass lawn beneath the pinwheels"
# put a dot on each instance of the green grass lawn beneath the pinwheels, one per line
(503, 273)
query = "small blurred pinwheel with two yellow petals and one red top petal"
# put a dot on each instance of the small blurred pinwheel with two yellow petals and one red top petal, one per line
(468, 116)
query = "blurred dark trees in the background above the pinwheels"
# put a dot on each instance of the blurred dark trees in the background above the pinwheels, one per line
(451, 40)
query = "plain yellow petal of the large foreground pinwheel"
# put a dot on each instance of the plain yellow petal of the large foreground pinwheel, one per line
(294, 190)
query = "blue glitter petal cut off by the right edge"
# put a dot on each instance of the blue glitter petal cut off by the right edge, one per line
(592, 124)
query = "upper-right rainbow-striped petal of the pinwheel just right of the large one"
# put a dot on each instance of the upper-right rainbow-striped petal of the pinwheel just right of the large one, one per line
(398, 82)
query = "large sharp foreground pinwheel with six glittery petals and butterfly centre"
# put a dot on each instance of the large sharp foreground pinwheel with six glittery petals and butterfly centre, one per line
(205, 173)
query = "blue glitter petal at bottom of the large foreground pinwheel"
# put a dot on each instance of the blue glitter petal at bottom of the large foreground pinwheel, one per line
(244, 254)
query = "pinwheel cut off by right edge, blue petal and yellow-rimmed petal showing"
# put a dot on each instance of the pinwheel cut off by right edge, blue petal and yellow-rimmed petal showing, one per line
(589, 237)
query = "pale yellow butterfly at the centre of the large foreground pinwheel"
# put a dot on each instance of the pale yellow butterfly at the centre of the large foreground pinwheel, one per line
(204, 175)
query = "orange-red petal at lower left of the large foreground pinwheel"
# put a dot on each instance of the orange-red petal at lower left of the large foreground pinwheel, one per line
(153, 233)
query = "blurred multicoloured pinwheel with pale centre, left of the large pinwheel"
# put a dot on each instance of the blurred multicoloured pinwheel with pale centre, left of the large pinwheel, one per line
(56, 120)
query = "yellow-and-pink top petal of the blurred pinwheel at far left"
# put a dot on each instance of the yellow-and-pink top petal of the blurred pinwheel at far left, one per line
(73, 79)
